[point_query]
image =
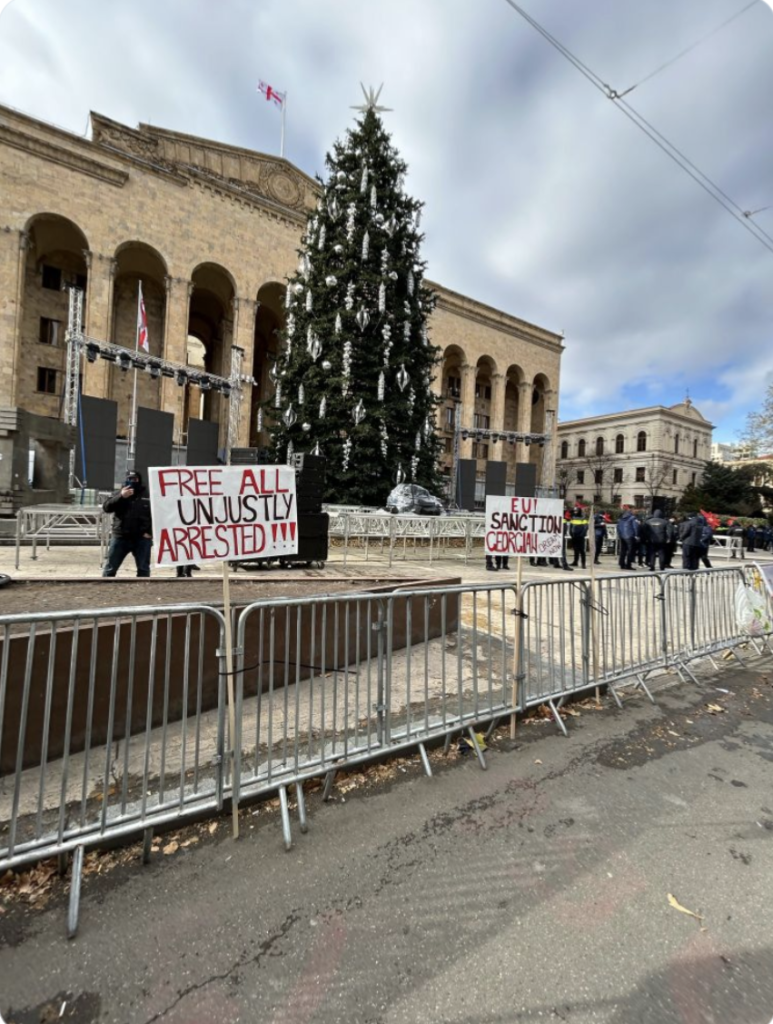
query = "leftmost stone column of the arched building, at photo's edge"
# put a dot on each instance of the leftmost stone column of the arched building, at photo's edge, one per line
(14, 247)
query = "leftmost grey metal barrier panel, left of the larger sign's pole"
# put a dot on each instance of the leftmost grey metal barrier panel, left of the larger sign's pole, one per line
(111, 721)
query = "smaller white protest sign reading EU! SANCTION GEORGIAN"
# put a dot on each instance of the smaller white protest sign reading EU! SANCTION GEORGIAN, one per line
(525, 527)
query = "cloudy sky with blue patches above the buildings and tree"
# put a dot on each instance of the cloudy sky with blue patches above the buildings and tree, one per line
(542, 198)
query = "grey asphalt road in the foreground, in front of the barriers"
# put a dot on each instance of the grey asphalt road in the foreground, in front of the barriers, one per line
(535, 891)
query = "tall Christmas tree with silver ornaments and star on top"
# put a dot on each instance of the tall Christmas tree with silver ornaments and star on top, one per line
(353, 381)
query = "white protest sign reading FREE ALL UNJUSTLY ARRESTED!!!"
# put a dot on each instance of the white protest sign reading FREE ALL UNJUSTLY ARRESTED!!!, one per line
(223, 514)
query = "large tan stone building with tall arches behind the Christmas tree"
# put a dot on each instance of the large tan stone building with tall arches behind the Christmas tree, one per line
(211, 231)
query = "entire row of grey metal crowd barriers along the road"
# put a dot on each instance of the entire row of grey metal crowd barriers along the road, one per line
(113, 721)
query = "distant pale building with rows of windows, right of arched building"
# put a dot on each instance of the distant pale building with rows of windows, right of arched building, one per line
(632, 458)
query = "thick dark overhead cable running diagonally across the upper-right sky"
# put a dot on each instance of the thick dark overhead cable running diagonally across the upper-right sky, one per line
(713, 190)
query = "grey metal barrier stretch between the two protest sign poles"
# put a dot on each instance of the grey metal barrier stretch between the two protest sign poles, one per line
(336, 680)
